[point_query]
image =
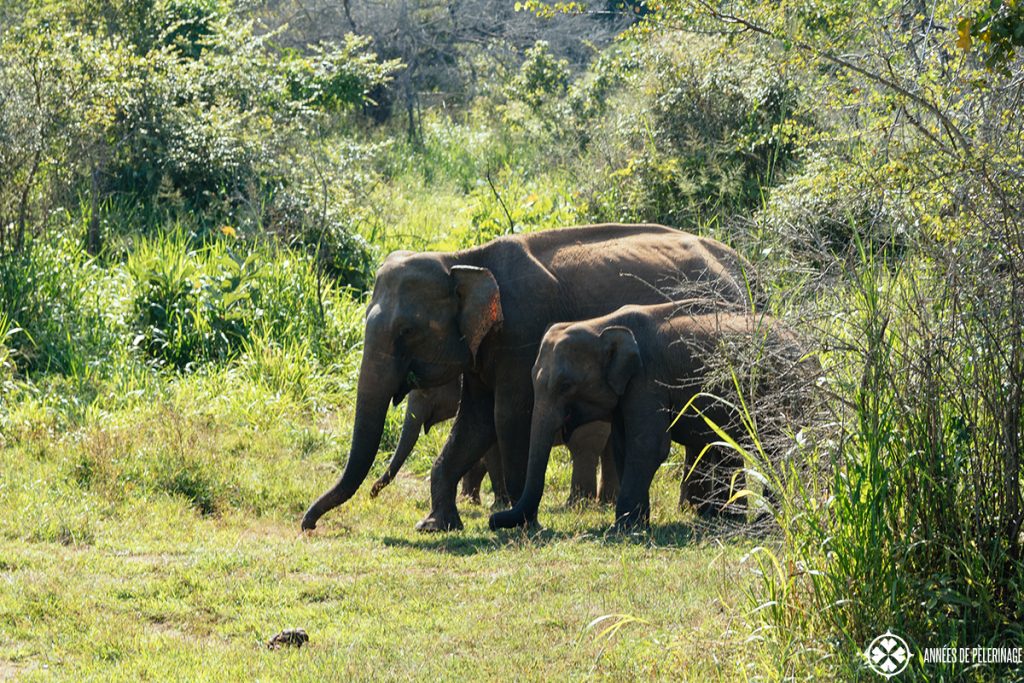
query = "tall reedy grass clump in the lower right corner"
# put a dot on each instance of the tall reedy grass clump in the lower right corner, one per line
(916, 529)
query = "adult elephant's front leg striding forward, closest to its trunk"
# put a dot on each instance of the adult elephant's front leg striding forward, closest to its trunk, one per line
(473, 435)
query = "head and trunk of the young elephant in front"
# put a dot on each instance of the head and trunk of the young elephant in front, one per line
(579, 377)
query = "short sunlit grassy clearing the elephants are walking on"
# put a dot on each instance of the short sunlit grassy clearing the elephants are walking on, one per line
(163, 544)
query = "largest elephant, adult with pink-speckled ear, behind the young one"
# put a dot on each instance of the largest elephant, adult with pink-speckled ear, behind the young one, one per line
(482, 313)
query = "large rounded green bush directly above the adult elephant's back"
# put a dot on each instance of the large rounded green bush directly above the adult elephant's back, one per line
(695, 133)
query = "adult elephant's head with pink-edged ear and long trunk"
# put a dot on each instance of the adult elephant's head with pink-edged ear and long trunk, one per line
(425, 324)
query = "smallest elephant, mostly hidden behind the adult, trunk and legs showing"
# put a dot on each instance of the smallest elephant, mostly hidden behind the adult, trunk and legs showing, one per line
(425, 408)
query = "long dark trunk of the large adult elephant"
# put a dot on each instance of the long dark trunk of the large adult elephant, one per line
(379, 382)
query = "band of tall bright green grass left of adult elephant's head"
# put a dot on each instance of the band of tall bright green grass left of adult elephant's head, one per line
(178, 302)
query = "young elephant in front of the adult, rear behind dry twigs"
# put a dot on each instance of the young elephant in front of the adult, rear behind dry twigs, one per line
(639, 367)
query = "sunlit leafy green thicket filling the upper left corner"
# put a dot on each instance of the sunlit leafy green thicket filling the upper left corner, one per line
(177, 109)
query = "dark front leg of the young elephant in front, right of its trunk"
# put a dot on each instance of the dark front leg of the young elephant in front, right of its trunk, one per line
(648, 447)
